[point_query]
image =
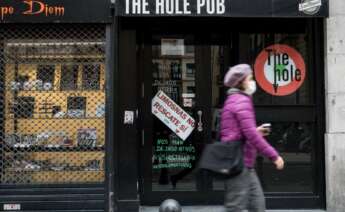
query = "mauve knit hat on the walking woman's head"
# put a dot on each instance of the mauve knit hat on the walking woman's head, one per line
(236, 74)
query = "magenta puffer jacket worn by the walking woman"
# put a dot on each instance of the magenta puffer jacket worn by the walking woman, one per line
(238, 123)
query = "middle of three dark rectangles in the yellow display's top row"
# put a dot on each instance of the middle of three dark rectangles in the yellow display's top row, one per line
(69, 77)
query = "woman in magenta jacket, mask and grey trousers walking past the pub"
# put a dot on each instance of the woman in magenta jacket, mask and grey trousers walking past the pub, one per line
(238, 122)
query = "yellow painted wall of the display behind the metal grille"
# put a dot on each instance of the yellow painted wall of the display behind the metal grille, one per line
(43, 123)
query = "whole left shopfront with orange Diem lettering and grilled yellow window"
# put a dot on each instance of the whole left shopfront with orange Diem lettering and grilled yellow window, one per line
(53, 94)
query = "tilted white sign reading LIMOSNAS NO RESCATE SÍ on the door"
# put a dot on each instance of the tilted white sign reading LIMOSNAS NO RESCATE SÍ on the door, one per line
(172, 115)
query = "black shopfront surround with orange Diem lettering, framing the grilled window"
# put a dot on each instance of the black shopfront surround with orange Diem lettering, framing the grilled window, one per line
(49, 19)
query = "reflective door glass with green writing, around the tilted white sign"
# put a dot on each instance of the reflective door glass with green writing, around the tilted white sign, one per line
(173, 160)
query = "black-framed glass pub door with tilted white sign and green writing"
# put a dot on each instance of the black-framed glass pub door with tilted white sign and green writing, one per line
(175, 116)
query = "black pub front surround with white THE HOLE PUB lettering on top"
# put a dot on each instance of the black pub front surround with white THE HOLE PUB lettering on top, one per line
(182, 17)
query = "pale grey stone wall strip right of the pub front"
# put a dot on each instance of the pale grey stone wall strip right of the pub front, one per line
(335, 107)
